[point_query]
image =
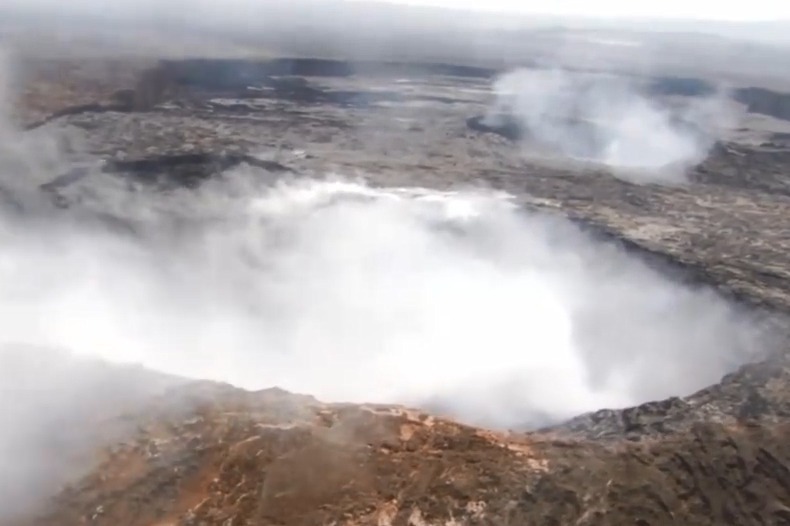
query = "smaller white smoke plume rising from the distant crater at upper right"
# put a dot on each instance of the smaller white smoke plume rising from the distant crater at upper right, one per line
(608, 119)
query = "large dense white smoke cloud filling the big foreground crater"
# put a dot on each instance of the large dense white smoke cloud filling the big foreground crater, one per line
(459, 300)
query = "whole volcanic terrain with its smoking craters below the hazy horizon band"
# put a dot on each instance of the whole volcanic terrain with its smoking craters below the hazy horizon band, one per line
(504, 247)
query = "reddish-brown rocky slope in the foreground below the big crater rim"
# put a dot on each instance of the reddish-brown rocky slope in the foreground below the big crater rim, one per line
(272, 458)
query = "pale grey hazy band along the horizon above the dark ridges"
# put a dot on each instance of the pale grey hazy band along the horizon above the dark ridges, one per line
(745, 52)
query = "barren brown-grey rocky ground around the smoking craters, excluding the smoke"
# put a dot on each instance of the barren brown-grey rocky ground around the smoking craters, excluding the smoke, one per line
(198, 453)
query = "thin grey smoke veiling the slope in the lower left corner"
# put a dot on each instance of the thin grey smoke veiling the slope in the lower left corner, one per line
(57, 410)
